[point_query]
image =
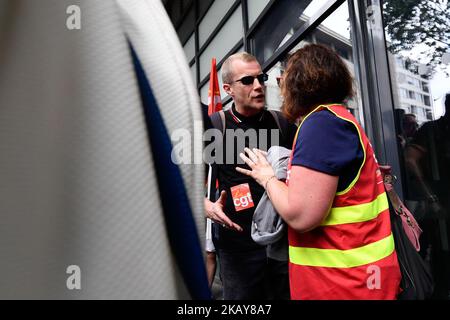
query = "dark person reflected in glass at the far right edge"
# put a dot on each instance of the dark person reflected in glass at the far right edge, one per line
(427, 159)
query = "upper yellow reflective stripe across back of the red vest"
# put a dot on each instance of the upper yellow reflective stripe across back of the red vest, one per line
(357, 213)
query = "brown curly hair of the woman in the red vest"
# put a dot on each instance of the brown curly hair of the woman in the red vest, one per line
(315, 75)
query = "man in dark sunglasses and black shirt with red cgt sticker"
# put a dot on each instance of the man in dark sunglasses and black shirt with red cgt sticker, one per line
(245, 269)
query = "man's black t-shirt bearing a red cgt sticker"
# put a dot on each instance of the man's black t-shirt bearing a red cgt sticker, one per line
(229, 178)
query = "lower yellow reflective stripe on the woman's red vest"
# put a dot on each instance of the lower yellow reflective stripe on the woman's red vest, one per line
(332, 258)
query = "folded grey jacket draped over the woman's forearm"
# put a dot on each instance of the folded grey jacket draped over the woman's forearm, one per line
(268, 228)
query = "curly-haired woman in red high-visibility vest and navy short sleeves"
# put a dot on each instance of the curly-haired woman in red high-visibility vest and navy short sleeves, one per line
(334, 202)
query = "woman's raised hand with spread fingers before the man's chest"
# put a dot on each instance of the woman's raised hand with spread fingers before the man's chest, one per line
(261, 171)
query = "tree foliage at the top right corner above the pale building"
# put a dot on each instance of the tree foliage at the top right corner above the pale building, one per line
(423, 24)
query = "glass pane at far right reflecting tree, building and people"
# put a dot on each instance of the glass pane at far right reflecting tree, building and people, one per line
(418, 44)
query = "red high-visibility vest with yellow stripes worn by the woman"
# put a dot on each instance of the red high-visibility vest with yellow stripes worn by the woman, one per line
(351, 255)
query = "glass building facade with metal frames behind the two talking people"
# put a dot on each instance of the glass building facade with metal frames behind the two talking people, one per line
(400, 93)
